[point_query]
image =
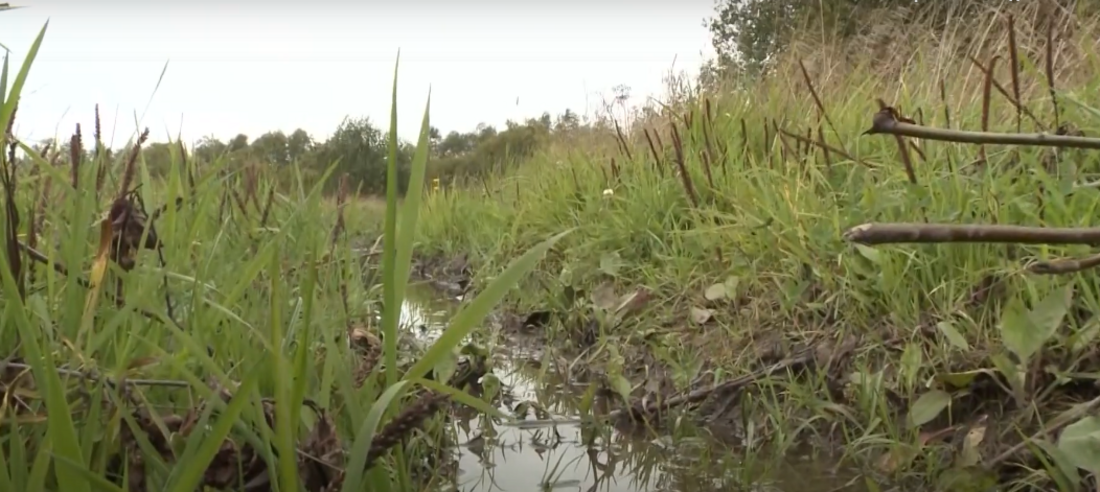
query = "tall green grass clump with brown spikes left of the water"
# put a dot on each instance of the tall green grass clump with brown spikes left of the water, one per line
(197, 374)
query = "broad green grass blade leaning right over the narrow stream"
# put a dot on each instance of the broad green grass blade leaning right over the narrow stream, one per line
(472, 314)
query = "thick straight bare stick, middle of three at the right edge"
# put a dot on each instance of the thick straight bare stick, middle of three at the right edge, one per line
(917, 233)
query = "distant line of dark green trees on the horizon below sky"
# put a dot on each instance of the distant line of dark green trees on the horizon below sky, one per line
(361, 151)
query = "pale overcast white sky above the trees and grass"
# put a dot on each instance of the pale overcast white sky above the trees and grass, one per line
(250, 68)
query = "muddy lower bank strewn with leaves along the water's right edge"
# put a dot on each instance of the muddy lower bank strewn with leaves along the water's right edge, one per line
(807, 380)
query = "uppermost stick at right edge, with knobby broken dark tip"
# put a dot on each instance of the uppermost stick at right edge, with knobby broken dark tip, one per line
(886, 122)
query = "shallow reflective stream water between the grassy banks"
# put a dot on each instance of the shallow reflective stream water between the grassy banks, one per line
(553, 446)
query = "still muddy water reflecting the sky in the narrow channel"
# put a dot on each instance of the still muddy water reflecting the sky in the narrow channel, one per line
(548, 453)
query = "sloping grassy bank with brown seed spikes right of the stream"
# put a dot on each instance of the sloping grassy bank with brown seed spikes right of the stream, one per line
(933, 363)
